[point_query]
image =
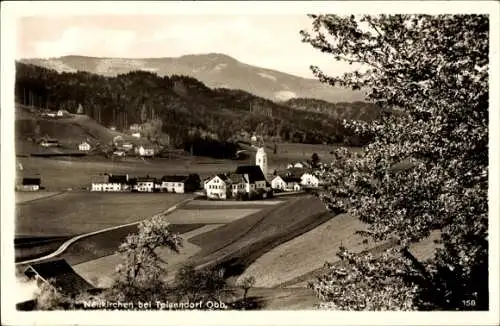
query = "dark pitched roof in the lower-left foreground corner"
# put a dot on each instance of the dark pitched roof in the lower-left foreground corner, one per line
(64, 277)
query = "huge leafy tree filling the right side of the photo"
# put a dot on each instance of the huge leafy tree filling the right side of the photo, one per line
(432, 73)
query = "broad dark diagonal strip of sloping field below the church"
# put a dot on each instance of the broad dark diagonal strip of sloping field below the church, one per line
(236, 245)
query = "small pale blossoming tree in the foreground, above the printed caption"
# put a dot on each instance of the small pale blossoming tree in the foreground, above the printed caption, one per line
(140, 275)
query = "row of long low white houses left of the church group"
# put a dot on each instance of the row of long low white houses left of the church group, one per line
(124, 183)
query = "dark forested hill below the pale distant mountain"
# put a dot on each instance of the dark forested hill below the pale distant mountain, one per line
(181, 103)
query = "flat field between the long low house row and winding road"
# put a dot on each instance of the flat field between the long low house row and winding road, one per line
(74, 213)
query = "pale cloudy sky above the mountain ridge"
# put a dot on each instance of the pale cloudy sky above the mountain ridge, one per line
(268, 41)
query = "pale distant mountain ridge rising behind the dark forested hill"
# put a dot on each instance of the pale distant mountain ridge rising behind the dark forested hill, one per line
(216, 70)
